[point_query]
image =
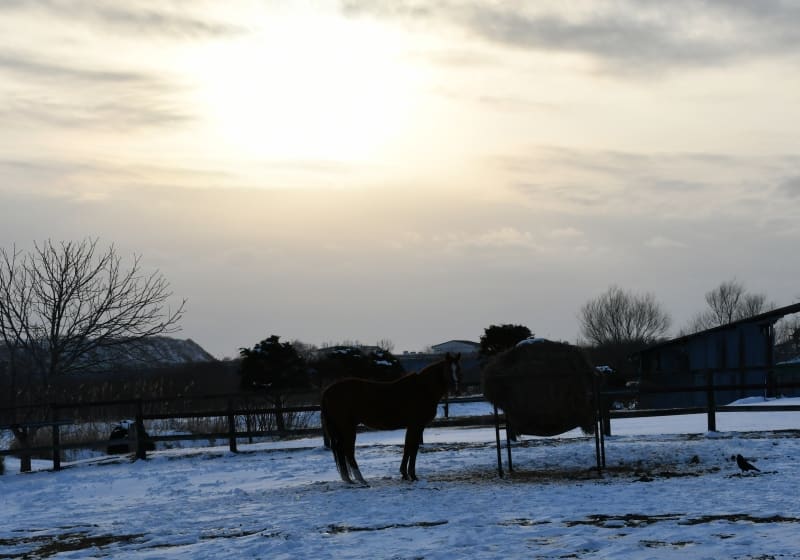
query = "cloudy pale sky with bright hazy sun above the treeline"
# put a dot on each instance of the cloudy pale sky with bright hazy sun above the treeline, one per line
(408, 171)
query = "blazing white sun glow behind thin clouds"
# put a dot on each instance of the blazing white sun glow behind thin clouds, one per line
(306, 87)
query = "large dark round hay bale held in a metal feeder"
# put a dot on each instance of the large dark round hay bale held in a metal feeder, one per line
(545, 388)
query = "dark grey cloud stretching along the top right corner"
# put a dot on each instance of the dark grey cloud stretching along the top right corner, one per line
(625, 36)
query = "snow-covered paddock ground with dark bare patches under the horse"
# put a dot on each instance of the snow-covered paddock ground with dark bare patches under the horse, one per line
(670, 490)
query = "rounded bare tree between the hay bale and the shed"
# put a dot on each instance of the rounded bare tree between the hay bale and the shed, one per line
(618, 317)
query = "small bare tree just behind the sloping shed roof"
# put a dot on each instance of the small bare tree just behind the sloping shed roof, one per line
(728, 302)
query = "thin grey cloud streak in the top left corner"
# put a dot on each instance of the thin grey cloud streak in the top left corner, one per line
(136, 18)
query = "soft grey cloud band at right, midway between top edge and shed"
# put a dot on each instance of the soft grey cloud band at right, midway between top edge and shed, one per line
(668, 184)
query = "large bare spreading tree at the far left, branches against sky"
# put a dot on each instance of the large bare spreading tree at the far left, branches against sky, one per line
(65, 306)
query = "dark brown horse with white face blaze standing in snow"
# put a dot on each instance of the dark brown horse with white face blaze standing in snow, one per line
(409, 402)
